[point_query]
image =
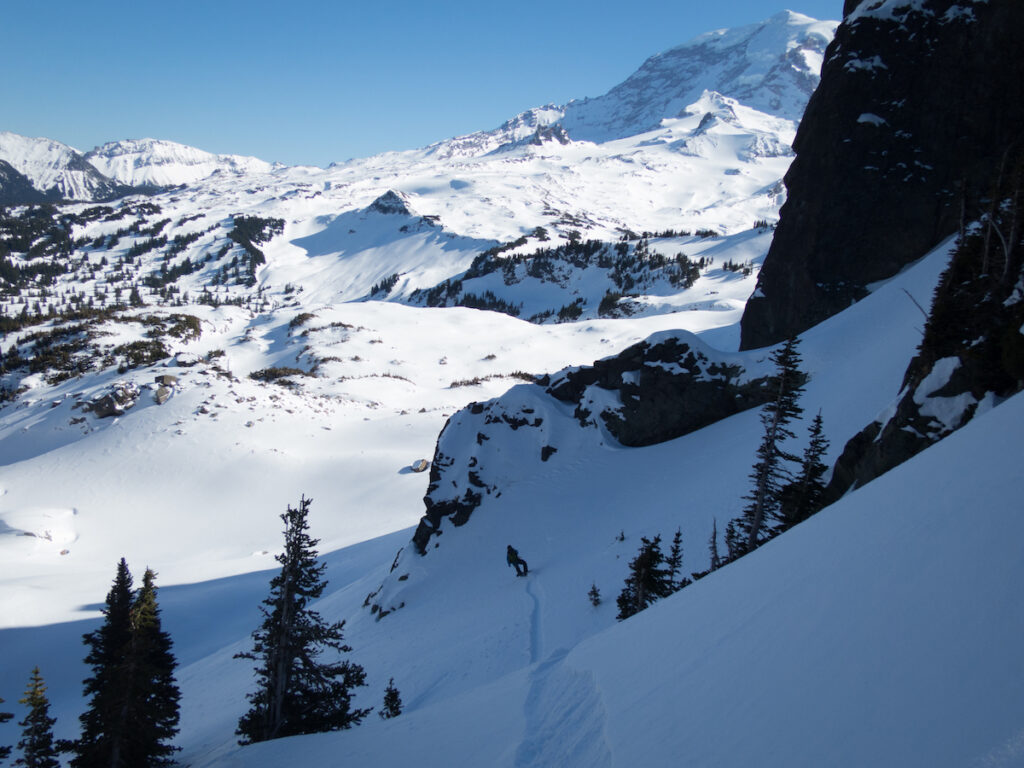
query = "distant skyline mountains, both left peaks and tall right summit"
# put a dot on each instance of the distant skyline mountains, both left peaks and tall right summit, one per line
(772, 67)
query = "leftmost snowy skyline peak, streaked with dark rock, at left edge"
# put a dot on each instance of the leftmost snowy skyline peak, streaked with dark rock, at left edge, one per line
(56, 169)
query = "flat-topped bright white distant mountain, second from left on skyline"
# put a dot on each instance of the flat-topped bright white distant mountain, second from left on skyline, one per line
(150, 162)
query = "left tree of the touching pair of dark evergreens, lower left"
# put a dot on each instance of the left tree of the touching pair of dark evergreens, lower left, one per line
(105, 726)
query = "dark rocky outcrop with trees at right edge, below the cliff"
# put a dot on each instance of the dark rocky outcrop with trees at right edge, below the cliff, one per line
(972, 355)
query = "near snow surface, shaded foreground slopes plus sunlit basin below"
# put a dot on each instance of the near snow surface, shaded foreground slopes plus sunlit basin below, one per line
(865, 650)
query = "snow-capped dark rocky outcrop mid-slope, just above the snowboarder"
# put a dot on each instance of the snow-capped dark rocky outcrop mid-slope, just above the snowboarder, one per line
(662, 389)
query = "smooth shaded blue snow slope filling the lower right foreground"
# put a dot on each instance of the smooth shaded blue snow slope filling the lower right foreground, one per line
(855, 649)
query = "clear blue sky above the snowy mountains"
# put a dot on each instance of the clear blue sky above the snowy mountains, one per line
(312, 81)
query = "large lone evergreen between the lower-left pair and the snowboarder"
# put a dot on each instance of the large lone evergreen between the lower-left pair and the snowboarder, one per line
(296, 693)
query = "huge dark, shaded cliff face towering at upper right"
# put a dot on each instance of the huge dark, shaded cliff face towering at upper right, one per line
(918, 103)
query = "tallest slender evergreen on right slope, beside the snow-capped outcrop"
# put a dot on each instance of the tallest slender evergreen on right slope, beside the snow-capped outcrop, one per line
(770, 473)
